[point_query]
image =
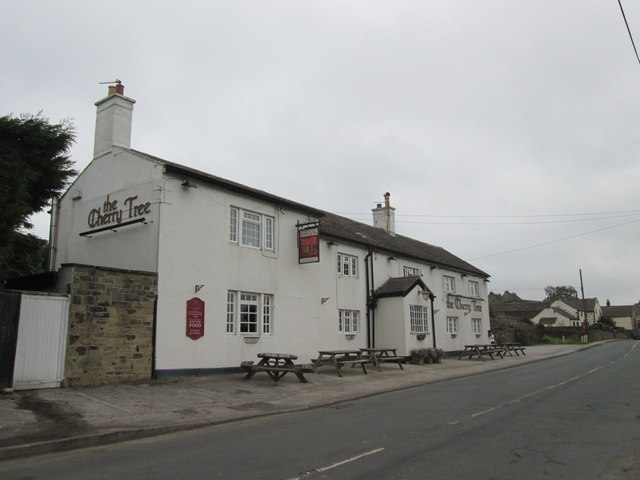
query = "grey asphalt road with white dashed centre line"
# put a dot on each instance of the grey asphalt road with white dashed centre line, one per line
(573, 417)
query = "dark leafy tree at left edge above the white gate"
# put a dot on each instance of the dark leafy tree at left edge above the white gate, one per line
(34, 168)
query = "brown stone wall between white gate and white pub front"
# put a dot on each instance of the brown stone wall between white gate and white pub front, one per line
(111, 322)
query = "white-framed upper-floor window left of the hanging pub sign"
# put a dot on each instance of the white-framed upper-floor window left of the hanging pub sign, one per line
(251, 229)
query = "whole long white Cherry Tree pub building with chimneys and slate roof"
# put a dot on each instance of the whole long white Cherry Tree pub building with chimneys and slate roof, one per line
(241, 271)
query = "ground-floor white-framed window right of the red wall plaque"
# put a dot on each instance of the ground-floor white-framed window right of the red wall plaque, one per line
(249, 313)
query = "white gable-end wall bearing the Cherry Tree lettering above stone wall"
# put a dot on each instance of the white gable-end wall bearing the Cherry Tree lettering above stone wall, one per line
(116, 177)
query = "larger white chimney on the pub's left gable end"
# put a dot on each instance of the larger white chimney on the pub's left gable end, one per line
(113, 120)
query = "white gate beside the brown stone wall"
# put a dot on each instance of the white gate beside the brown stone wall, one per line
(41, 344)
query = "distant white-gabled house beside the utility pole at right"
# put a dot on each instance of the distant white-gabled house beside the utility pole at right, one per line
(569, 312)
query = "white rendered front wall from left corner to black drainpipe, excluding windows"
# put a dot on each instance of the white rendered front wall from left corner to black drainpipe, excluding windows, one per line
(195, 250)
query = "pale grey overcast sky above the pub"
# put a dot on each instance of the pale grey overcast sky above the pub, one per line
(506, 131)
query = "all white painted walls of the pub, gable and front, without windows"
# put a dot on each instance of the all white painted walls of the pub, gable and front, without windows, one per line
(187, 243)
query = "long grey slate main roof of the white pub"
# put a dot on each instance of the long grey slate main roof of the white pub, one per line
(335, 226)
